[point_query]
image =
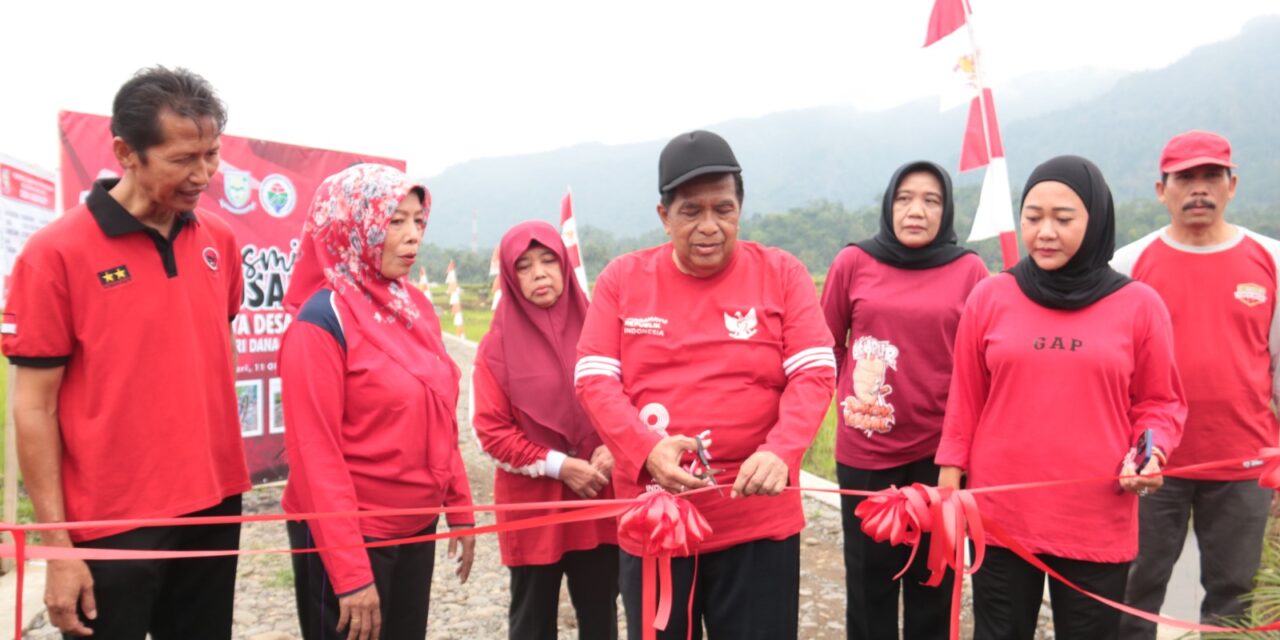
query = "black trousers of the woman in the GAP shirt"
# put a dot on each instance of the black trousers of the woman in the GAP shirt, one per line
(1008, 592)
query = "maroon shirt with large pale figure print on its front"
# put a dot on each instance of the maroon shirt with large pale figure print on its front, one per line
(895, 328)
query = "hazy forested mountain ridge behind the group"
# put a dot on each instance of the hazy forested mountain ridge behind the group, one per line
(844, 156)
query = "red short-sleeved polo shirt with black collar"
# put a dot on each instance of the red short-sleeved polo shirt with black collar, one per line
(148, 403)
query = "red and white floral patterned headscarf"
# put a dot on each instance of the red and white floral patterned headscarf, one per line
(342, 250)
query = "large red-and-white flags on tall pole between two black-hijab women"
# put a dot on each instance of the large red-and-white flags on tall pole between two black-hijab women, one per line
(953, 35)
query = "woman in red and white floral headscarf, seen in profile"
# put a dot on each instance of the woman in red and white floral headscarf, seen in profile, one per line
(371, 400)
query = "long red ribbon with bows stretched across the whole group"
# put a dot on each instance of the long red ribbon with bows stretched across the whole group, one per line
(665, 525)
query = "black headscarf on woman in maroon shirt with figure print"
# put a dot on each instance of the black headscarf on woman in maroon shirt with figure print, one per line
(943, 250)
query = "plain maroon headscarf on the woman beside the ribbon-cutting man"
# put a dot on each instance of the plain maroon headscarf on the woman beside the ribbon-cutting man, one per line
(532, 351)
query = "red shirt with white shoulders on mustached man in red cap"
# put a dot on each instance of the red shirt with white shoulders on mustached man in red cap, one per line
(1227, 339)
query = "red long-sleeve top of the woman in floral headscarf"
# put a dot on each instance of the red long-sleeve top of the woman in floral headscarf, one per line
(359, 438)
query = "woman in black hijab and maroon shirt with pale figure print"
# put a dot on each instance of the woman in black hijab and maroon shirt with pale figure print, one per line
(893, 304)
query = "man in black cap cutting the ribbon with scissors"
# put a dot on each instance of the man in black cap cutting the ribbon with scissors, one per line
(707, 362)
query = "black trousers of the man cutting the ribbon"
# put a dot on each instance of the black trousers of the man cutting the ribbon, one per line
(748, 592)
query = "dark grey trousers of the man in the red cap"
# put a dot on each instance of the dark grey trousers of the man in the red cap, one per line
(1231, 520)
